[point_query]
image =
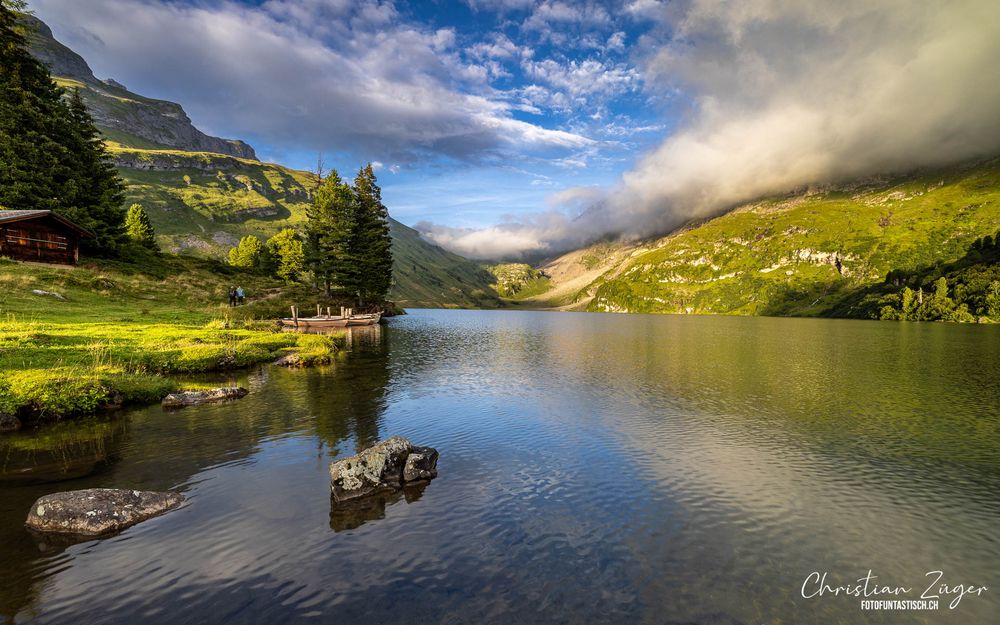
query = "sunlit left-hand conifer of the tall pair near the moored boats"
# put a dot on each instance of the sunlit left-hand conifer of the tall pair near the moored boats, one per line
(328, 231)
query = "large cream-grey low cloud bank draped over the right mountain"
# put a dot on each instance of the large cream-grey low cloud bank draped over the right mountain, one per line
(785, 93)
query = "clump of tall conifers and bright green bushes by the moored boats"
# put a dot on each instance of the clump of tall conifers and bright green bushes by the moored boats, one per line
(344, 248)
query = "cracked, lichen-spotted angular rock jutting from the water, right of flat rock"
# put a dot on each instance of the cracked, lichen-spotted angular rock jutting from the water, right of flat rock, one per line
(383, 468)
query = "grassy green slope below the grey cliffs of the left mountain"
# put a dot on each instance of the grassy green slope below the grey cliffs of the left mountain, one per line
(202, 203)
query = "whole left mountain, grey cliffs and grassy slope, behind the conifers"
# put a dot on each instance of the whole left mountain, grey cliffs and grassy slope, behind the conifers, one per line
(203, 193)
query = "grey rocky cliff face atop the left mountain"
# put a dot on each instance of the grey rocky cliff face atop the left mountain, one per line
(122, 115)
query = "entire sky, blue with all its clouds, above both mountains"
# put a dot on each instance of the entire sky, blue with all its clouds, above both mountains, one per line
(506, 127)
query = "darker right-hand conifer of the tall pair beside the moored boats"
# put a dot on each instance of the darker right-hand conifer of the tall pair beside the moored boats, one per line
(371, 245)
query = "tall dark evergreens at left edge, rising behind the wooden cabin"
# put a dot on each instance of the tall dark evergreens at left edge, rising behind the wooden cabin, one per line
(51, 156)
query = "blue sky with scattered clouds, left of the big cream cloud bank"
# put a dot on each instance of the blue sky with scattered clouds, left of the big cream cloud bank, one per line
(531, 98)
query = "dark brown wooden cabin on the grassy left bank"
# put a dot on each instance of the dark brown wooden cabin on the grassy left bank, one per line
(40, 236)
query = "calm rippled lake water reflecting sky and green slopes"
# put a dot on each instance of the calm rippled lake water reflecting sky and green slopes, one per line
(594, 469)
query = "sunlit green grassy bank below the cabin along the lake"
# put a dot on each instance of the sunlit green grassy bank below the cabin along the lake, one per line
(117, 334)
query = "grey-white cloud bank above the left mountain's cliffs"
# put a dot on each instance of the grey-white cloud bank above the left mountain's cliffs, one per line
(314, 74)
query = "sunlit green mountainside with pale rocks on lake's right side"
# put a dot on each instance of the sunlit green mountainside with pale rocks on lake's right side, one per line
(813, 252)
